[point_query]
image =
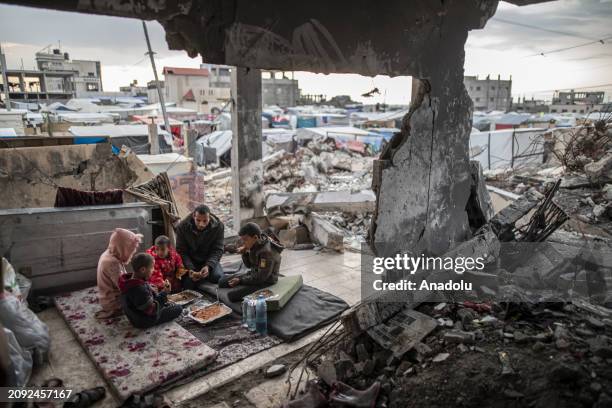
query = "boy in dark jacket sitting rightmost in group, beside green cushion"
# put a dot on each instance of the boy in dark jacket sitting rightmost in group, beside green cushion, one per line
(261, 254)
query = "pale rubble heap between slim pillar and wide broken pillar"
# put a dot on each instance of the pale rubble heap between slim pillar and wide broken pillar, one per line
(319, 188)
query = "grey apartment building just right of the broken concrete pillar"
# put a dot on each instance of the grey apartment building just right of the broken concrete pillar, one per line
(489, 94)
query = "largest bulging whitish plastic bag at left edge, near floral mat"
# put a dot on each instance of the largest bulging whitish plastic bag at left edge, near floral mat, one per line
(31, 333)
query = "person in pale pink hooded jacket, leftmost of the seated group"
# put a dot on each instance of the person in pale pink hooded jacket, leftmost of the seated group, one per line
(122, 246)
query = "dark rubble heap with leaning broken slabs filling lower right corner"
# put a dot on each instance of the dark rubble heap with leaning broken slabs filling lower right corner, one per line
(508, 342)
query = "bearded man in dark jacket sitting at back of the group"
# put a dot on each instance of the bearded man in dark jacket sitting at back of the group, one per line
(199, 240)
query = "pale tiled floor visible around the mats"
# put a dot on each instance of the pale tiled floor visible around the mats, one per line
(335, 273)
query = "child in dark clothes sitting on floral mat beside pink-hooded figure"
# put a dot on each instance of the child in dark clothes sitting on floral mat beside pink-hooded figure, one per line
(143, 307)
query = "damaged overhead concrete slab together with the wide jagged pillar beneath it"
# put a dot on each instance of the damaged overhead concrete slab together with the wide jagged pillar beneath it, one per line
(423, 181)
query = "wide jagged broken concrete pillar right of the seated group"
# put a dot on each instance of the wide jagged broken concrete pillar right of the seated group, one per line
(422, 181)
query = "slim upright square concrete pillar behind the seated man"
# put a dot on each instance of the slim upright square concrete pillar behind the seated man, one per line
(247, 169)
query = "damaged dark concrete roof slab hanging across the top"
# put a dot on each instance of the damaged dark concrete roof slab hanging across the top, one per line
(374, 38)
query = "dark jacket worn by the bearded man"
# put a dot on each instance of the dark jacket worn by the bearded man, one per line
(200, 248)
